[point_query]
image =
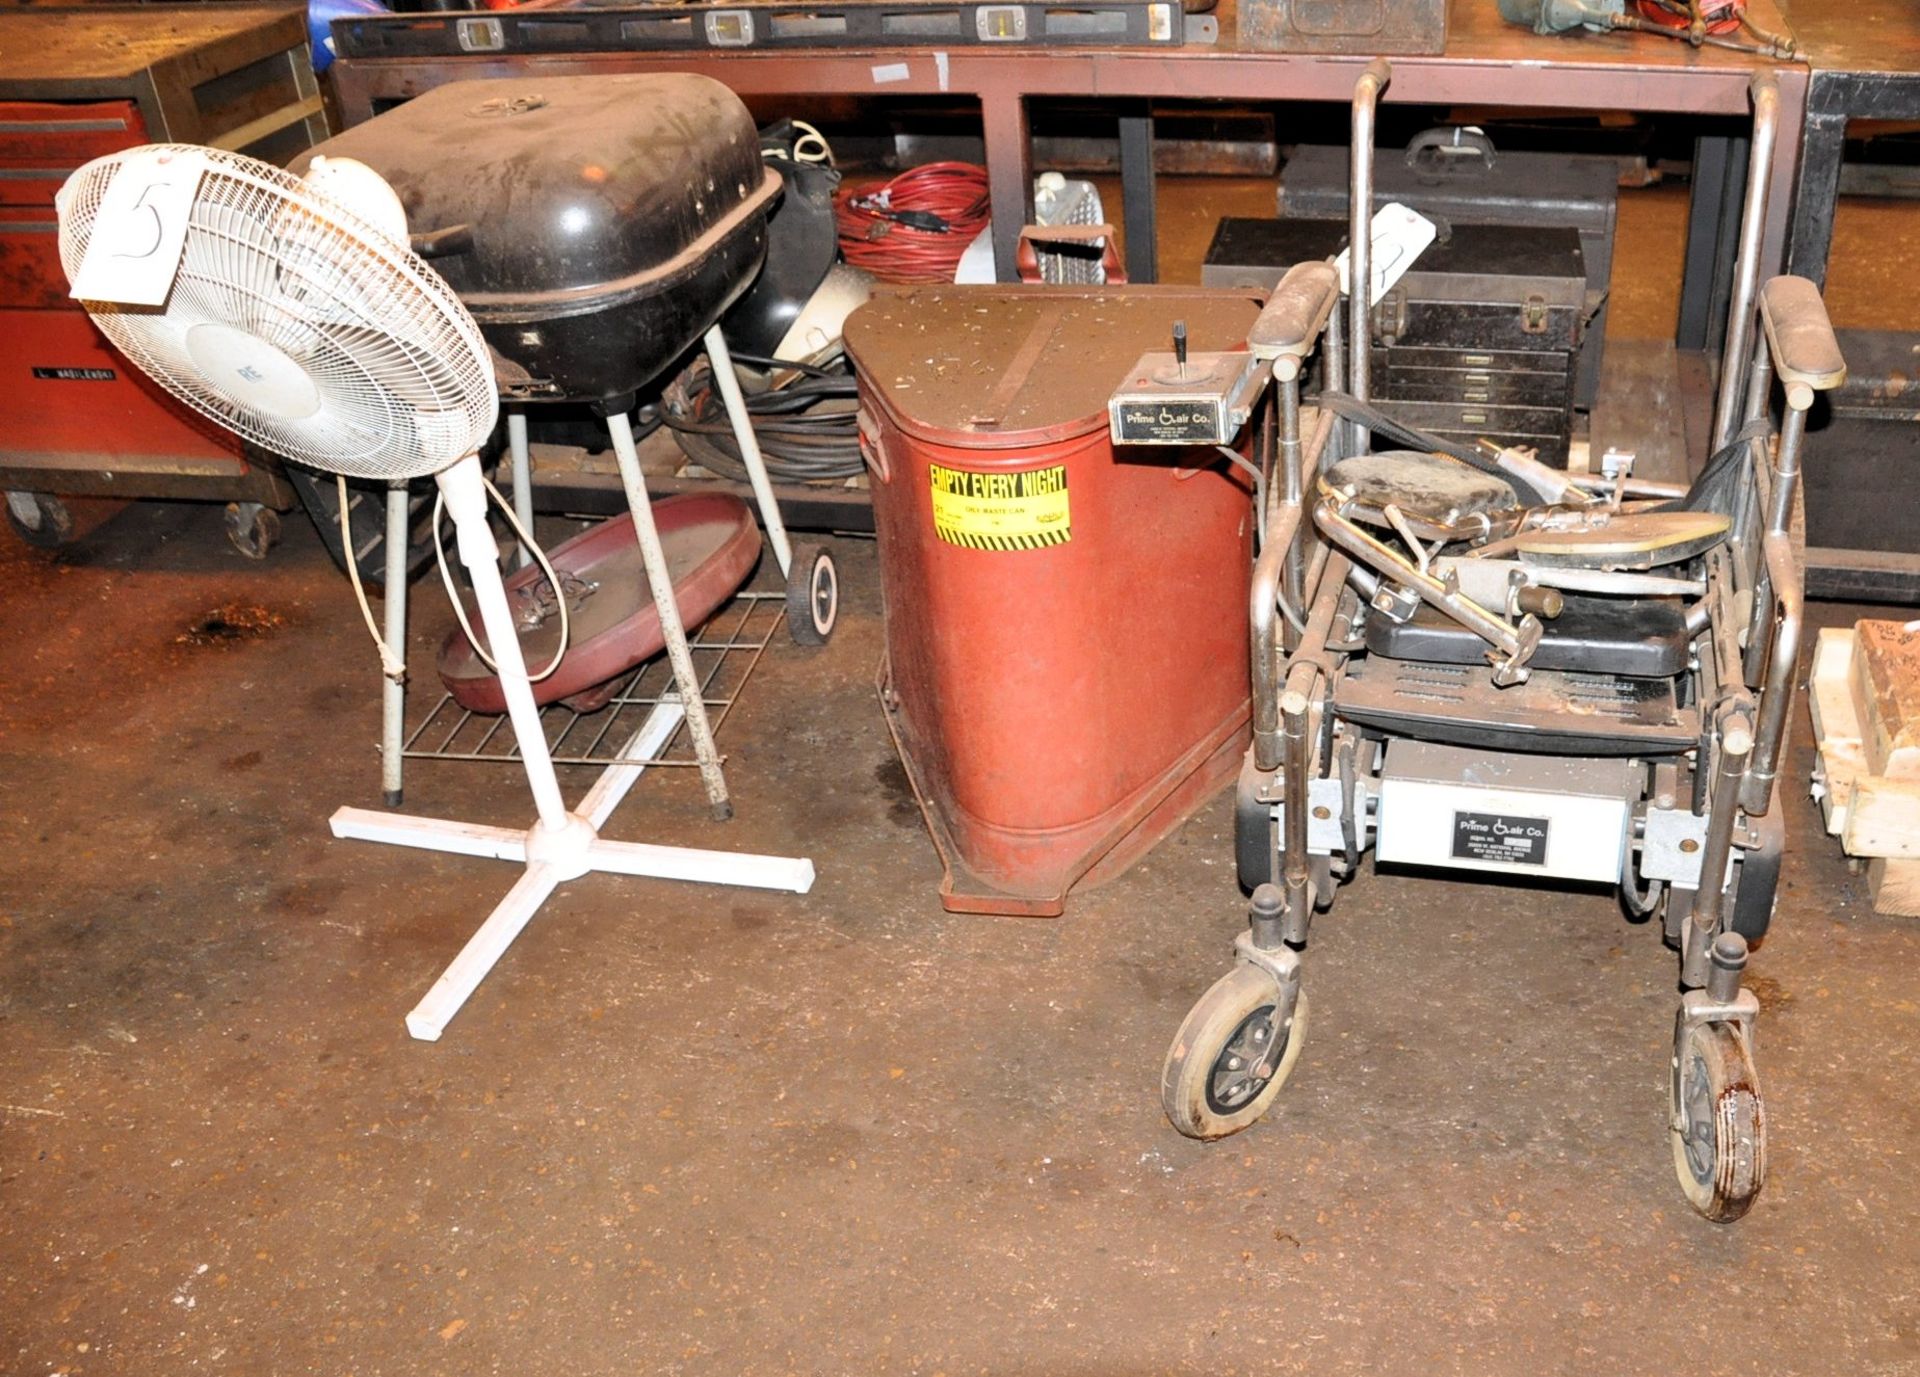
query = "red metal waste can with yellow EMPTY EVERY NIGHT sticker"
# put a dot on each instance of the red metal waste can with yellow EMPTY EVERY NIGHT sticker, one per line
(1067, 669)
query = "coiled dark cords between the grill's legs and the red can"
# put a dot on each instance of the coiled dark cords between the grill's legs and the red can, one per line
(807, 427)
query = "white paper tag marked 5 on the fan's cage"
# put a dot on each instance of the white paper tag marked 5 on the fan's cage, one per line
(141, 231)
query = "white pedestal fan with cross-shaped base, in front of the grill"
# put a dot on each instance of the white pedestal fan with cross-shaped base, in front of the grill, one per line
(316, 333)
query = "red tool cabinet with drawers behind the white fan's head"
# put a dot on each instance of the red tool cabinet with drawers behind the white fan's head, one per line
(76, 85)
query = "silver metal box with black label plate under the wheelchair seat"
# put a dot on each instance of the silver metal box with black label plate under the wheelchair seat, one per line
(1527, 815)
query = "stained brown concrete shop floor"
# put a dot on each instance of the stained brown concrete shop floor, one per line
(709, 1132)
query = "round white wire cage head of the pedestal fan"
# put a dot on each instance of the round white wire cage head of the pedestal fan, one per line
(402, 377)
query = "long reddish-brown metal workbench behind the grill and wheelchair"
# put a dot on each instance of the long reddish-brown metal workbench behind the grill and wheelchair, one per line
(1487, 64)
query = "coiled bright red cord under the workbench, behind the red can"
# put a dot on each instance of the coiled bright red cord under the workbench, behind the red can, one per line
(909, 253)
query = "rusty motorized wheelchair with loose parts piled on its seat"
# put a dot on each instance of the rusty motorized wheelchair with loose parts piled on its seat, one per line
(1468, 662)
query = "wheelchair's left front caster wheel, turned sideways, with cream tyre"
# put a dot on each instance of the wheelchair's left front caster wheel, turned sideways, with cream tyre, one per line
(1218, 1078)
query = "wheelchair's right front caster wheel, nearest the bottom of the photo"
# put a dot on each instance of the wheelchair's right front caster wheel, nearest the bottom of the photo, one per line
(1719, 1124)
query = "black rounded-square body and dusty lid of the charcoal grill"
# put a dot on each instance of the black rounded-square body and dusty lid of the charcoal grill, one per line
(592, 226)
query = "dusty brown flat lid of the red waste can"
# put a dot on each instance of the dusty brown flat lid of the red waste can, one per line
(1015, 366)
